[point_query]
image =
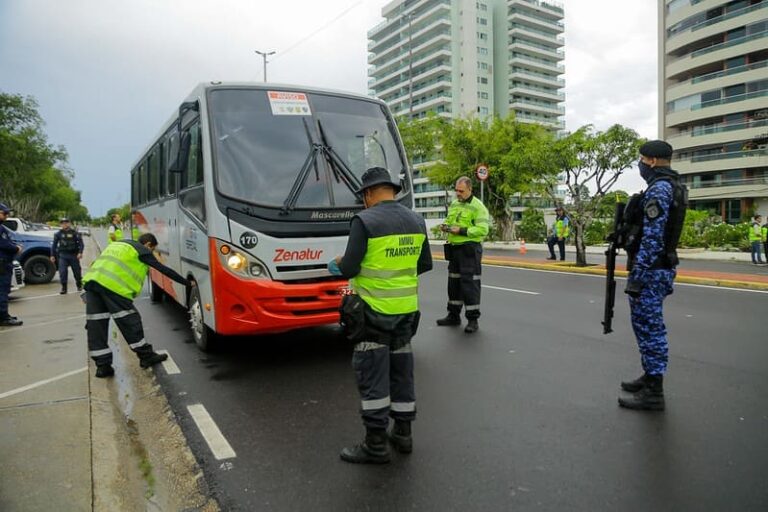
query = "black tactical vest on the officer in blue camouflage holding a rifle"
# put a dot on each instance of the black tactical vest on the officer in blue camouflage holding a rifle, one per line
(632, 224)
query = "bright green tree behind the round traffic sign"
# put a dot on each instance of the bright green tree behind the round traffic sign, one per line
(516, 154)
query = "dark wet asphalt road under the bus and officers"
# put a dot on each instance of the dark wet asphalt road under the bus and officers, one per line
(520, 416)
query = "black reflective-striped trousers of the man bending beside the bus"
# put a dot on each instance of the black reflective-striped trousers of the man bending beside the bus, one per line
(101, 305)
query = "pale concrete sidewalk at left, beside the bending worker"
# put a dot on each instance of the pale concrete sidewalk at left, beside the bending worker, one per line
(69, 441)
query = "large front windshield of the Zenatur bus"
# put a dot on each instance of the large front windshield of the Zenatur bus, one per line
(262, 143)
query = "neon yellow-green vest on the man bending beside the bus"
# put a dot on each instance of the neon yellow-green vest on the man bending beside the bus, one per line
(119, 270)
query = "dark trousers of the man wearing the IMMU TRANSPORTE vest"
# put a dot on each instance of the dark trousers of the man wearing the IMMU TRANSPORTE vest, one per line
(384, 373)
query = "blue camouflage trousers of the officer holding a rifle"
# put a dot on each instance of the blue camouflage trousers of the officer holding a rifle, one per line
(648, 320)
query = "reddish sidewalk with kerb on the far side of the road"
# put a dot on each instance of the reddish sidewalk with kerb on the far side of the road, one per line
(508, 254)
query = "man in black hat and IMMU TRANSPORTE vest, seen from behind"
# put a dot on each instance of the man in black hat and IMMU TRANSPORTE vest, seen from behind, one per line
(386, 251)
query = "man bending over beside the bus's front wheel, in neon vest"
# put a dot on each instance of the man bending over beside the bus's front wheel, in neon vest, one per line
(111, 284)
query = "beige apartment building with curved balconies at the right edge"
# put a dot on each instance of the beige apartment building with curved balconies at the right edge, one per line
(713, 101)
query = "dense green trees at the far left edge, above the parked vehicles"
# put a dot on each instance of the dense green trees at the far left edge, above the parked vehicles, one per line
(36, 181)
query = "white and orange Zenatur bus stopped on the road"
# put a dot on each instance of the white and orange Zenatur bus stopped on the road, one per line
(249, 189)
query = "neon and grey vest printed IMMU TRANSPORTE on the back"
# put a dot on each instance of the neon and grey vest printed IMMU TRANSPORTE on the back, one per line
(388, 281)
